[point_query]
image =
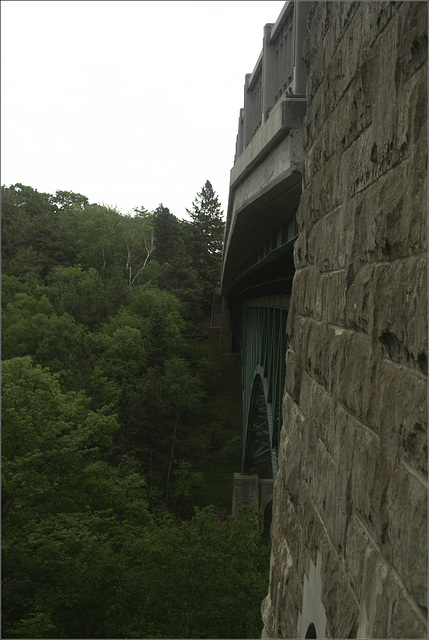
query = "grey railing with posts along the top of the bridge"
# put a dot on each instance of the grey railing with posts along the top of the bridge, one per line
(279, 71)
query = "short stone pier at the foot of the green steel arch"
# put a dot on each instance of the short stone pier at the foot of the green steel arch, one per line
(250, 491)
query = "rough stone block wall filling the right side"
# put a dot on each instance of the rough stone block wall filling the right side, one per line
(349, 528)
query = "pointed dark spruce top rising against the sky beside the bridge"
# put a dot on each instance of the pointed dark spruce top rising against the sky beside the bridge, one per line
(206, 216)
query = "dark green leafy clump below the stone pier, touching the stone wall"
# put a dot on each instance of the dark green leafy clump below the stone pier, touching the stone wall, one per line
(208, 582)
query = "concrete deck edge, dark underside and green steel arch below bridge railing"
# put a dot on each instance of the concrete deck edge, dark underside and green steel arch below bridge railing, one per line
(258, 270)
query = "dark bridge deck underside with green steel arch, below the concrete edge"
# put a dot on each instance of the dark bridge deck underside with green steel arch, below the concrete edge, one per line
(258, 292)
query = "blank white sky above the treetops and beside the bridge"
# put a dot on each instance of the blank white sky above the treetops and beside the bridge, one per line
(131, 103)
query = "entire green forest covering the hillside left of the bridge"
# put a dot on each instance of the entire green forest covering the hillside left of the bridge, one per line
(121, 427)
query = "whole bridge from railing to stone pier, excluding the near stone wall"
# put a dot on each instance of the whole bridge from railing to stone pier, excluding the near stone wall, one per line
(258, 266)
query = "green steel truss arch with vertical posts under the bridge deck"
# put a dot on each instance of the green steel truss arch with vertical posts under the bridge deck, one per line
(264, 370)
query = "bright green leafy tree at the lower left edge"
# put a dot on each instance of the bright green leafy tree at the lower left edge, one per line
(63, 508)
